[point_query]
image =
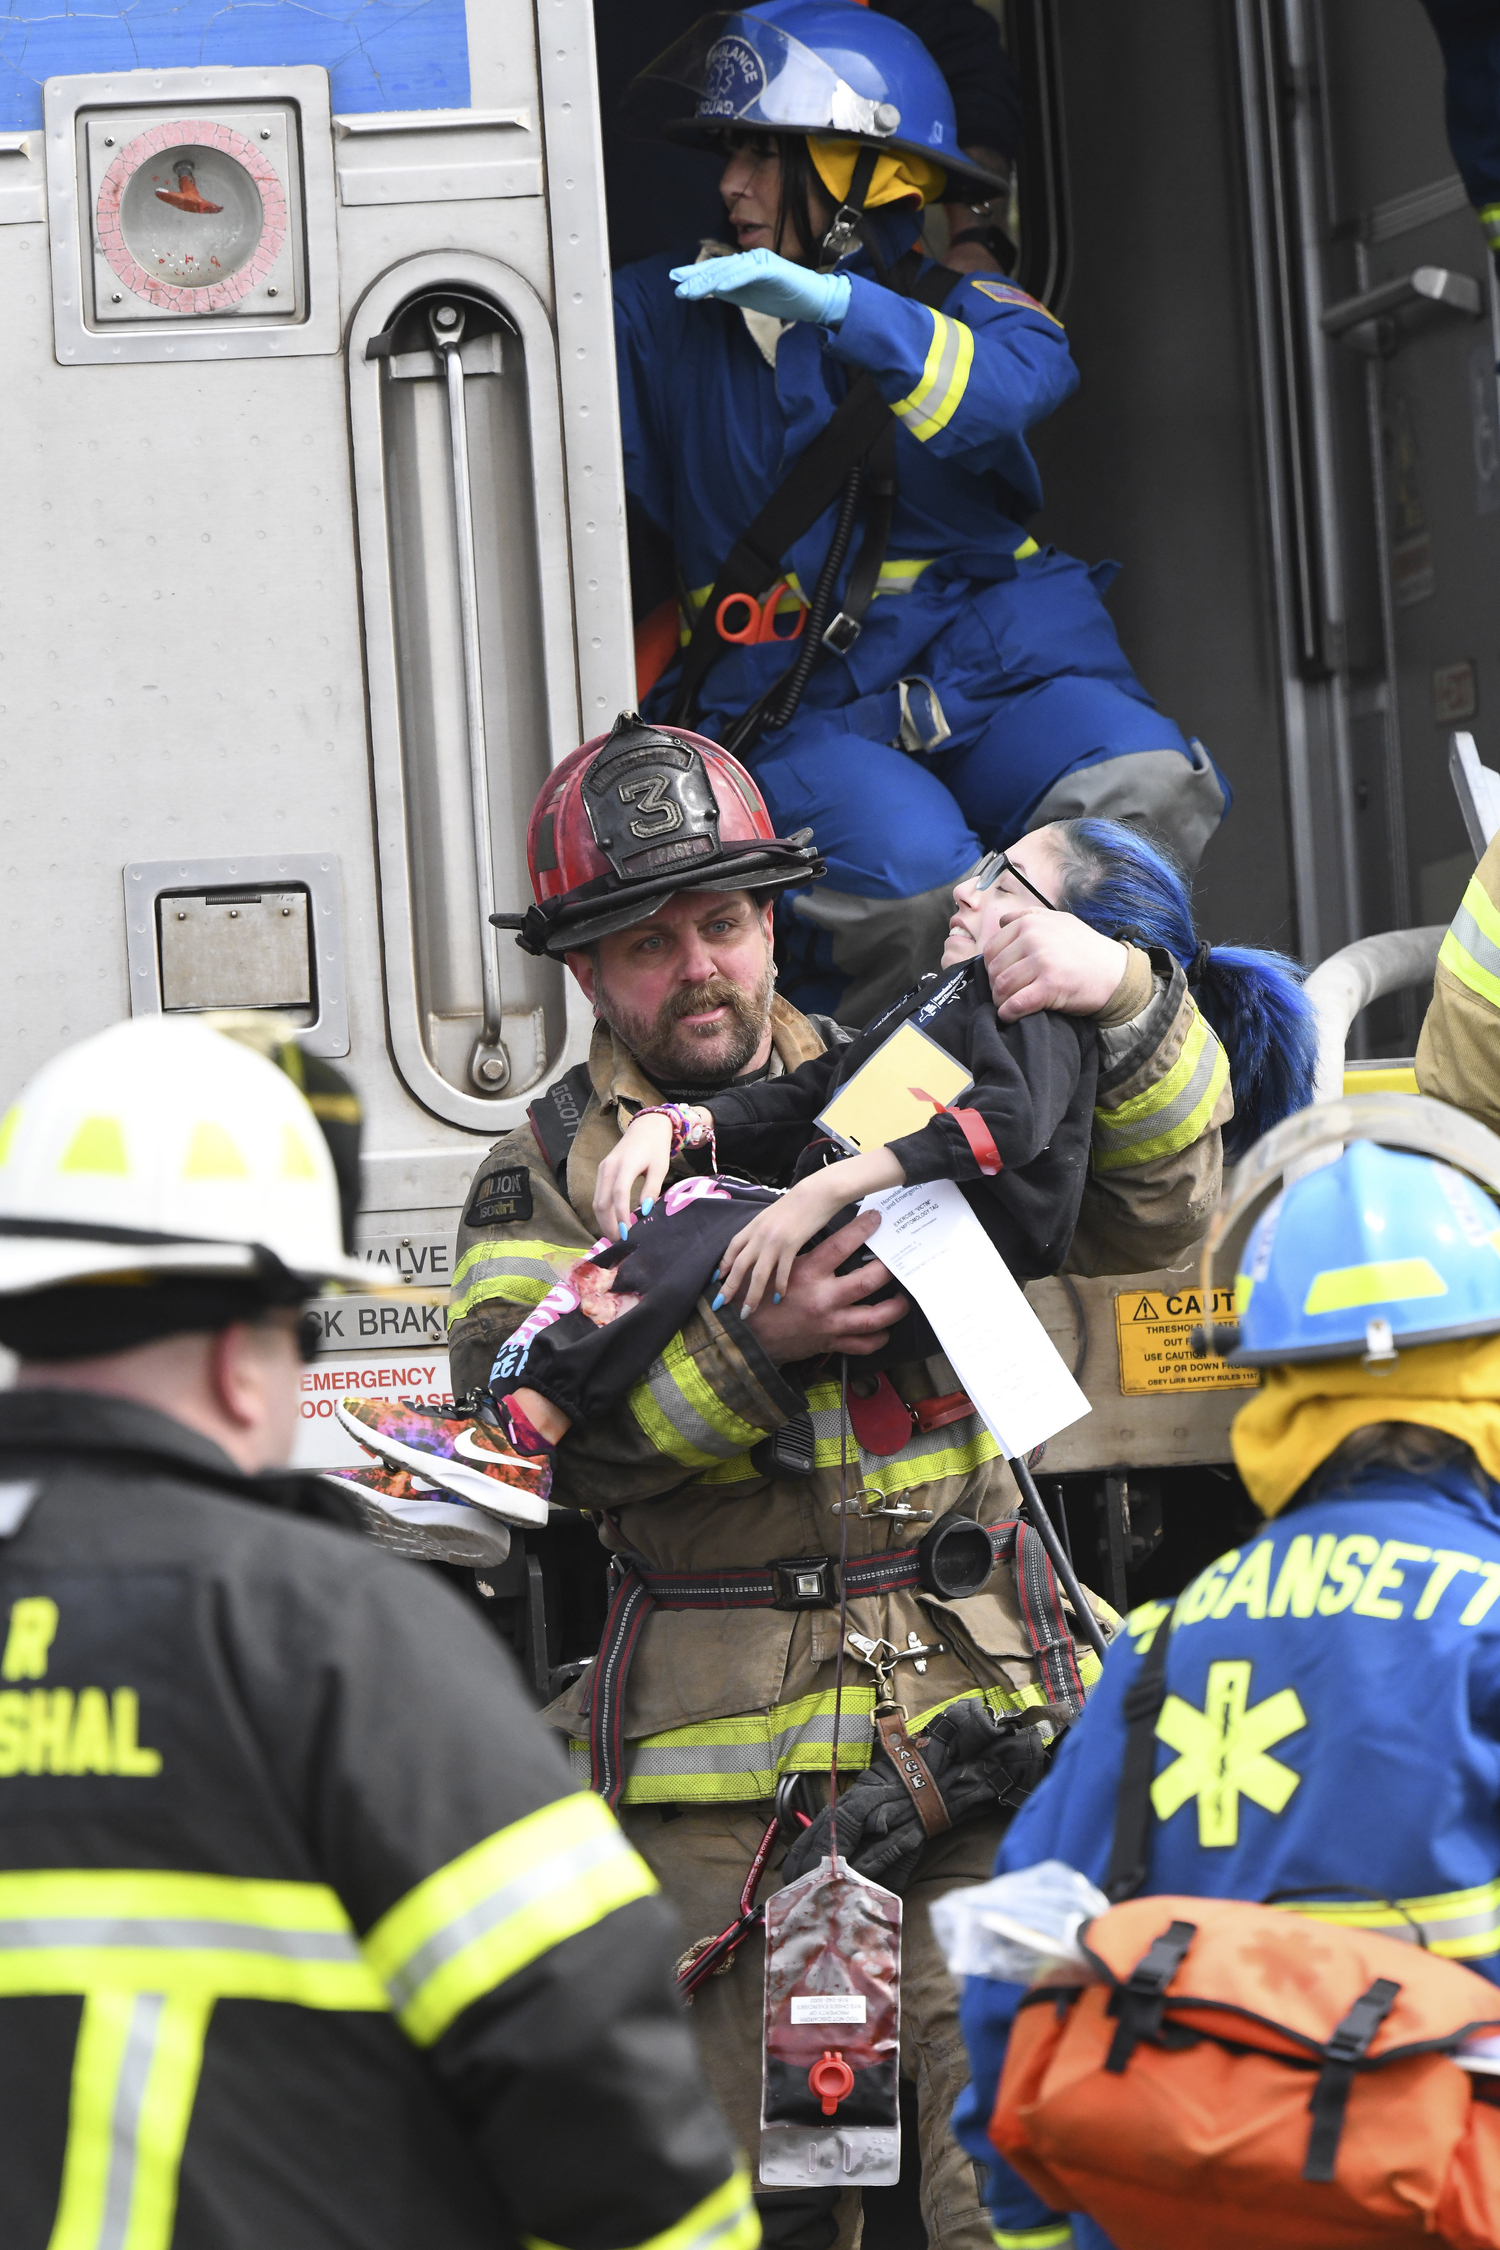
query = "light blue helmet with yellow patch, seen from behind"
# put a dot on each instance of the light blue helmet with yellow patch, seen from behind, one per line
(1371, 1254)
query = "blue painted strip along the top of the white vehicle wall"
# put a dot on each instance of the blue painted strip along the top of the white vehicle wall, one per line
(381, 55)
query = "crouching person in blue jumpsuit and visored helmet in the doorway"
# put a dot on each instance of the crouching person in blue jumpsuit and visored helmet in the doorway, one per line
(986, 692)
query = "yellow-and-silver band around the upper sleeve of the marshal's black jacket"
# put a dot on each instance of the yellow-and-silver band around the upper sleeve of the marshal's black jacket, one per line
(500, 1907)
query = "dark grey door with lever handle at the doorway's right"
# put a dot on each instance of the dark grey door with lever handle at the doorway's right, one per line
(1380, 334)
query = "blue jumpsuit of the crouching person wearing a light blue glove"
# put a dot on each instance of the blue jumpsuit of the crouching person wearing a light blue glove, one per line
(1027, 665)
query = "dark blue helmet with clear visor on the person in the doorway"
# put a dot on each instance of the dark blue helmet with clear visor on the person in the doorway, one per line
(817, 66)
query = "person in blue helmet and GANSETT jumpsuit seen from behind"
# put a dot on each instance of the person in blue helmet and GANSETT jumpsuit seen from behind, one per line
(1332, 1720)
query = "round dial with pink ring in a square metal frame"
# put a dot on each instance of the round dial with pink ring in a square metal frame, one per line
(192, 217)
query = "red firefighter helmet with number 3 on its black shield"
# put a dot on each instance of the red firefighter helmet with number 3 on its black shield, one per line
(638, 816)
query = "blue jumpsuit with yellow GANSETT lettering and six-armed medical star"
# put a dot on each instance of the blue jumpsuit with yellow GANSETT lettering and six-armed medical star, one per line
(1330, 1736)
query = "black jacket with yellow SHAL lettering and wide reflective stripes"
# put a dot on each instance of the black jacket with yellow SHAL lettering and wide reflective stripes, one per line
(305, 1936)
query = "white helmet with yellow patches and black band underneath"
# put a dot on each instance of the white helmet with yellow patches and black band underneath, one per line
(161, 1146)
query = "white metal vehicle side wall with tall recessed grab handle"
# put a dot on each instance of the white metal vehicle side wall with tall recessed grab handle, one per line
(316, 555)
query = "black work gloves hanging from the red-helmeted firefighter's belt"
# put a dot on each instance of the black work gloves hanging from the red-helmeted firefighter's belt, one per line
(979, 1767)
